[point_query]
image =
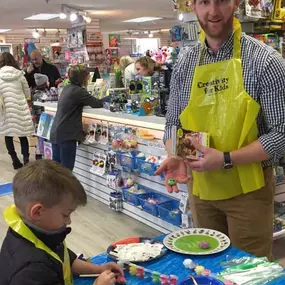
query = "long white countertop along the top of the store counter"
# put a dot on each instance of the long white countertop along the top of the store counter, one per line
(148, 122)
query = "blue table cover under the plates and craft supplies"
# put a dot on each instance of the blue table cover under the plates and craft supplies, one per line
(172, 264)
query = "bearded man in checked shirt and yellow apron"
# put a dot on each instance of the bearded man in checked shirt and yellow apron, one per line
(232, 87)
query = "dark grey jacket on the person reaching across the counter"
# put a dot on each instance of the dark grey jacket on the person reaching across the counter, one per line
(67, 124)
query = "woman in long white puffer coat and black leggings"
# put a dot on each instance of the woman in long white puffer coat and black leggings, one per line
(15, 116)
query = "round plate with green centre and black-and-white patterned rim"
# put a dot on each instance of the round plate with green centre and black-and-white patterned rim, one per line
(187, 241)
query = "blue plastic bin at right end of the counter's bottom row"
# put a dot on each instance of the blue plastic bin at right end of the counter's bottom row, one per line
(165, 212)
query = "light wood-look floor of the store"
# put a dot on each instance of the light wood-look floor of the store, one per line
(95, 226)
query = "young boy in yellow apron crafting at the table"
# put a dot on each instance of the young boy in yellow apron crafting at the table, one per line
(34, 250)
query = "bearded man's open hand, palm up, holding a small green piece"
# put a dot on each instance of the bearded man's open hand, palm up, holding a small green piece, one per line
(173, 167)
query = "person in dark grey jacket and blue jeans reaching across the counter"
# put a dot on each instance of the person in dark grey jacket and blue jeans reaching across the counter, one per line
(67, 127)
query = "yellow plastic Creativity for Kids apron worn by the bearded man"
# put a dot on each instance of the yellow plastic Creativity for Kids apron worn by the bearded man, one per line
(220, 106)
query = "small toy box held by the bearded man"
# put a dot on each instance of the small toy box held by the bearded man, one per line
(182, 144)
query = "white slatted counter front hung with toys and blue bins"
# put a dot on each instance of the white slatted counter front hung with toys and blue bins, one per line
(116, 165)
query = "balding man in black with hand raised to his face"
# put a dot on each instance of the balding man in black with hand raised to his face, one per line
(39, 65)
